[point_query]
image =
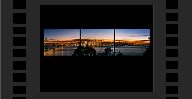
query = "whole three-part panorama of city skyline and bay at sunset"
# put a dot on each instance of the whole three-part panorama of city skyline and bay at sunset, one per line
(102, 42)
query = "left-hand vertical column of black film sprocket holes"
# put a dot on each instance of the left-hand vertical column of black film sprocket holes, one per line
(19, 49)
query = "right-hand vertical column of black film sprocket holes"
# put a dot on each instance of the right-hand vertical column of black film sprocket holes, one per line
(172, 87)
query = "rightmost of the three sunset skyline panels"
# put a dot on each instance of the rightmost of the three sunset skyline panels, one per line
(132, 42)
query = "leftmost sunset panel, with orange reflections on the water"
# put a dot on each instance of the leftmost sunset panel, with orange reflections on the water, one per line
(61, 42)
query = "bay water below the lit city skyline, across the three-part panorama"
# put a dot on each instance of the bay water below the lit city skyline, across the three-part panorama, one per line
(125, 50)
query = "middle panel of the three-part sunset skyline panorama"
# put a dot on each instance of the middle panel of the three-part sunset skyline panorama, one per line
(101, 41)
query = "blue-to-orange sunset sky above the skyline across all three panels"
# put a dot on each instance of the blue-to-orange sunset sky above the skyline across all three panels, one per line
(97, 34)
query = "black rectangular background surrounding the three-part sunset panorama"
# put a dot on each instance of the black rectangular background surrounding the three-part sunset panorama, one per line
(96, 74)
